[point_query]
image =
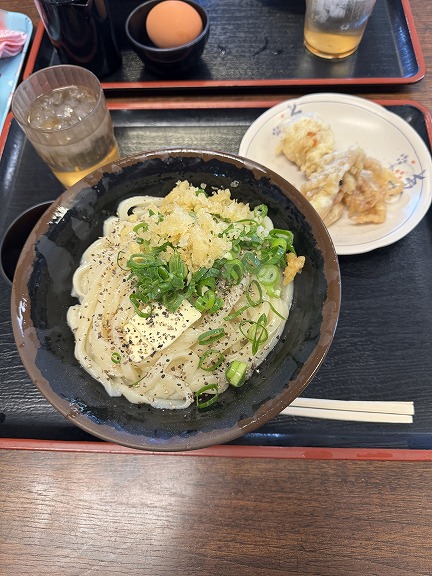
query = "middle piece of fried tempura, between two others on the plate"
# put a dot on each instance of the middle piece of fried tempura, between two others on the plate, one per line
(323, 189)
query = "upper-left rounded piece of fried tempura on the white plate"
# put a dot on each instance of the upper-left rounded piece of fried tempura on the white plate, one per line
(305, 142)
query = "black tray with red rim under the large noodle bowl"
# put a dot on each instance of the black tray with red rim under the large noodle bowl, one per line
(382, 348)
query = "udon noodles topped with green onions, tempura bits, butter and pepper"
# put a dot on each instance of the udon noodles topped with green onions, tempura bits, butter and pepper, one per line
(212, 308)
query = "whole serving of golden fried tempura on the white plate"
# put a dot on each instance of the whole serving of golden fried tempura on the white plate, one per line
(338, 179)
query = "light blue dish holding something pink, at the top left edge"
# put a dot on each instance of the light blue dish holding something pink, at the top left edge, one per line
(10, 68)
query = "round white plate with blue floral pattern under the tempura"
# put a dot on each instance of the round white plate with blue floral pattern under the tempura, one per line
(382, 134)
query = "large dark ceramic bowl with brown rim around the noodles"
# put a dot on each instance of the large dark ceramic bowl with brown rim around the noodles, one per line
(41, 296)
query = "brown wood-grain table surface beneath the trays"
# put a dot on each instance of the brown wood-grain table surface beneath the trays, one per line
(80, 512)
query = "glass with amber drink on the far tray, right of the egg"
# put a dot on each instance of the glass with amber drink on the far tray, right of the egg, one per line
(333, 29)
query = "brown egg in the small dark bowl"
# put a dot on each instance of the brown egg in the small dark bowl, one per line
(173, 23)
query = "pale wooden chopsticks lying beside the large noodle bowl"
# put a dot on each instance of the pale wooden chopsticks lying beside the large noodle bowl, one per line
(367, 411)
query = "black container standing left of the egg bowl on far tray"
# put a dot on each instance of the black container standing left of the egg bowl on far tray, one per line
(82, 33)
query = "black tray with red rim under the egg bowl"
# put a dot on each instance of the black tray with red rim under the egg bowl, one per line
(257, 43)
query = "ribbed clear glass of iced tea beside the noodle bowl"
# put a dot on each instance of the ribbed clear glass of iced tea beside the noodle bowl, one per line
(63, 112)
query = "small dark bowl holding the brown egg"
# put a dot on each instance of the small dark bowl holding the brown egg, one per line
(164, 61)
